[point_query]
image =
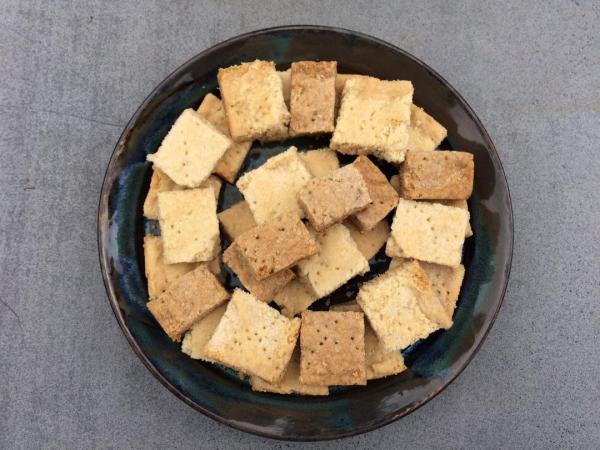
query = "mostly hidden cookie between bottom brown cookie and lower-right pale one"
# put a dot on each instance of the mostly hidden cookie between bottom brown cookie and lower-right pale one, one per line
(380, 362)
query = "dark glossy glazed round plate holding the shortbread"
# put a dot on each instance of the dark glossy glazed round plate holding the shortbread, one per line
(433, 363)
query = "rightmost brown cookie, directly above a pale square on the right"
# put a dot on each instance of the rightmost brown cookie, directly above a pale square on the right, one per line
(439, 175)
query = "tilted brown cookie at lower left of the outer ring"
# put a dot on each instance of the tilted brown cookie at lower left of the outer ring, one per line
(187, 300)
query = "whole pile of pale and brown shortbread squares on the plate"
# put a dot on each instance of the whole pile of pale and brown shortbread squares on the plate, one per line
(306, 227)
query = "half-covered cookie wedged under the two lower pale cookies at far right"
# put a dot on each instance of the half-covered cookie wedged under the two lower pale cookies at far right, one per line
(445, 281)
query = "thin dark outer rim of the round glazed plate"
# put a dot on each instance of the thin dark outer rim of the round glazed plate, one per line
(104, 260)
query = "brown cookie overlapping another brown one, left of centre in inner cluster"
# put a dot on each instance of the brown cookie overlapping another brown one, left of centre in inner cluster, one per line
(276, 245)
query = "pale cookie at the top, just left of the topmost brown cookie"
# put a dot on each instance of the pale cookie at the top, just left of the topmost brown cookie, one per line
(252, 95)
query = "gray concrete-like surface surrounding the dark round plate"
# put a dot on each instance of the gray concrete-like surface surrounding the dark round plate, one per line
(72, 74)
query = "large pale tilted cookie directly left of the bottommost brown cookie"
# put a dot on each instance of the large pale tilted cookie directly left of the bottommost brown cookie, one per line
(254, 338)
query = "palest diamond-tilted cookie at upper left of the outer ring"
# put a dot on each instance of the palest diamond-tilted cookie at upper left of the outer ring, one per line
(190, 150)
